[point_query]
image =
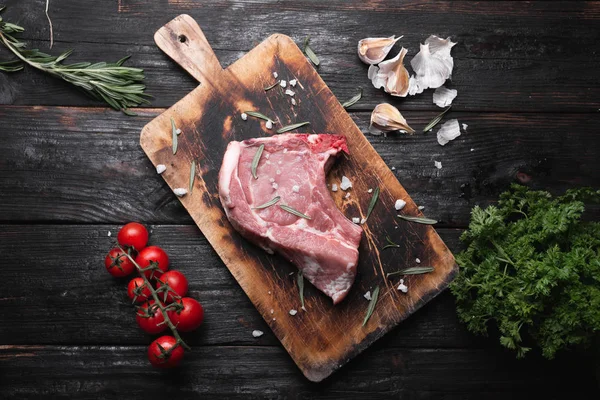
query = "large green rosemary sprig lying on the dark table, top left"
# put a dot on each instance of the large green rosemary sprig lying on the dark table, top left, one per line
(120, 87)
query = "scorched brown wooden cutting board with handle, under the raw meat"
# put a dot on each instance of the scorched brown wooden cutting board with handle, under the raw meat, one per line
(324, 337)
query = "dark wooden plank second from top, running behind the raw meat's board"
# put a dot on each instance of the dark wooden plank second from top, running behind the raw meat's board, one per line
(85, 165)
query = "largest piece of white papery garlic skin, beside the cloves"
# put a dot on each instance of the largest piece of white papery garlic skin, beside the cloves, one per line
(433, 64)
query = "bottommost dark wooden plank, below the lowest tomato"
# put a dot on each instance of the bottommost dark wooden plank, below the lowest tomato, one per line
(92, 372)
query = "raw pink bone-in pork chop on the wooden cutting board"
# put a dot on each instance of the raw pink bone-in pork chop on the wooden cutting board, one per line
(292, 166)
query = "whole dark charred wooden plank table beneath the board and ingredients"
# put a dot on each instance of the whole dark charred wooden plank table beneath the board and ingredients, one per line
(71, 171)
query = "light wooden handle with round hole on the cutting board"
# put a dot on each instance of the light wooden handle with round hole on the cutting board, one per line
(183, 41)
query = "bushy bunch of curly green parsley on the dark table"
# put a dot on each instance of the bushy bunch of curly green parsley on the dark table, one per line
(532, 267)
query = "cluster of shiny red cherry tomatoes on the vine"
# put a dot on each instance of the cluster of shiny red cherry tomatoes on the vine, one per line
(155, 281)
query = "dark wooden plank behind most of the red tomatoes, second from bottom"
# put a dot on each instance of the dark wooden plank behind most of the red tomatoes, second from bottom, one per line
(55, 290)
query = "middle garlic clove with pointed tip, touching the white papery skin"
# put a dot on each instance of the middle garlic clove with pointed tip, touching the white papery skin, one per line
(391, 75)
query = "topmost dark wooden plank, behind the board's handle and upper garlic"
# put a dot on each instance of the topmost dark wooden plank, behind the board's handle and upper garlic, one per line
(510, 57)
